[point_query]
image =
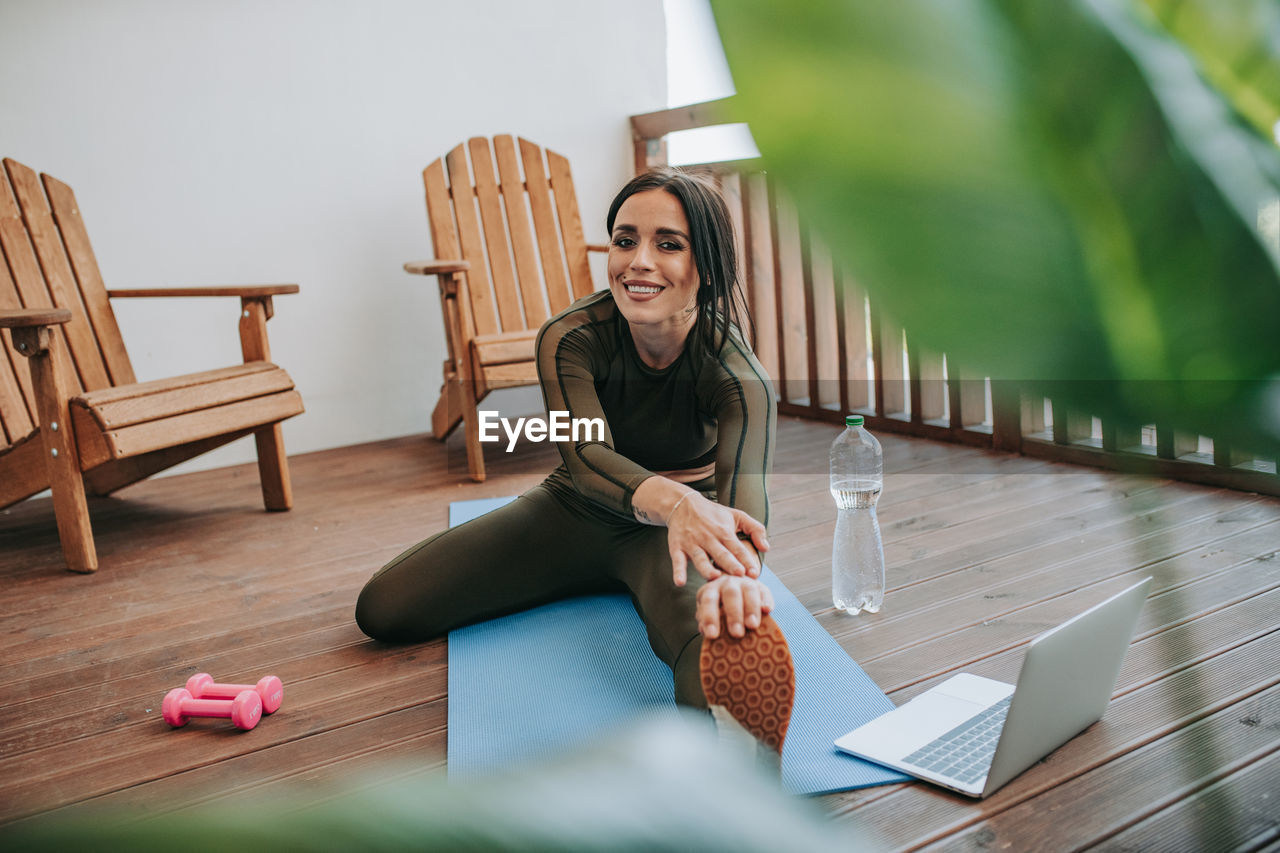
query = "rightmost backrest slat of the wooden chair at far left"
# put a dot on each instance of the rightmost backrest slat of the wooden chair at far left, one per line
(89, 280)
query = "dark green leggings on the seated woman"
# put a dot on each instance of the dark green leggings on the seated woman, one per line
(547, 545)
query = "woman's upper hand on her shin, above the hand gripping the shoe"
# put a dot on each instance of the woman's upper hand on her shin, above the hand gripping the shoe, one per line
(707, 535)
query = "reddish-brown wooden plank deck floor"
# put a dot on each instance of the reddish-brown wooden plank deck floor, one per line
(985, 551)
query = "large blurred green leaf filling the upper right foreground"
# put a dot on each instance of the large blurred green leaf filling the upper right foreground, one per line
(1046, 191)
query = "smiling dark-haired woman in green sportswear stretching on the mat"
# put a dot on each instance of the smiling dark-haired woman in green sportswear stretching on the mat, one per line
(678, 482)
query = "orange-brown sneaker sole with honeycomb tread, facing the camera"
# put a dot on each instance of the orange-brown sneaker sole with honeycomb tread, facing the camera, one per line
(755, 678)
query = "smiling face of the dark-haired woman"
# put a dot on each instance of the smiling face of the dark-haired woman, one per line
(651, 267)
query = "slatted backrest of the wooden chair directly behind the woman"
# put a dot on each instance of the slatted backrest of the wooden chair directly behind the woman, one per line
(520, 230)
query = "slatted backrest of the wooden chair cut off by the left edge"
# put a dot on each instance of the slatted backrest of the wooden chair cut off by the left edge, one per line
(49, 263)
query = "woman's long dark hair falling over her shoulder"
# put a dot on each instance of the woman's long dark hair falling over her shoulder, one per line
(711, 234)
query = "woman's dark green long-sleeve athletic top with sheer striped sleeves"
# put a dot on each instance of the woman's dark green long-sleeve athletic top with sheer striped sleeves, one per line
(701, 409)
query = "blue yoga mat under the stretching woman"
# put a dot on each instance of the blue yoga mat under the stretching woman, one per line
(536, 685)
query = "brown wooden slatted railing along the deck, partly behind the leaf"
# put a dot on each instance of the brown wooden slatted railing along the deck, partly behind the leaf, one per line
(833, 352)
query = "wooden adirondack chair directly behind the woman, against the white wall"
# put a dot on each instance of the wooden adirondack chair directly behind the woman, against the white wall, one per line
(510, 254)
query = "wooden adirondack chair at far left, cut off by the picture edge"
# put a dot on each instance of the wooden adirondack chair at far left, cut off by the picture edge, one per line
(79, 422)
